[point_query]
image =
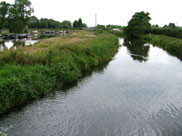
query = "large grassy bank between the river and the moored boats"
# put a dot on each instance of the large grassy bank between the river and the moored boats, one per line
(33, 71)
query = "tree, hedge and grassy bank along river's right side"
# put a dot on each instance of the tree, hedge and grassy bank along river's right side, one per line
(139, 29)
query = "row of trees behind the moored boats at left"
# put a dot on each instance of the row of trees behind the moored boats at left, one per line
(17, 18)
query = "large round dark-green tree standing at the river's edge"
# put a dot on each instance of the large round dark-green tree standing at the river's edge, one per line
(138, 25)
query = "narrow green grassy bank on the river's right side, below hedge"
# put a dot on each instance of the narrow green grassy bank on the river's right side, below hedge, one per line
(172, 45)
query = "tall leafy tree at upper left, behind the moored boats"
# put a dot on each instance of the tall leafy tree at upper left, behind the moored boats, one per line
(19, 14)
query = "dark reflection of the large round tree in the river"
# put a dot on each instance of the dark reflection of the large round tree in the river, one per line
(137, 50)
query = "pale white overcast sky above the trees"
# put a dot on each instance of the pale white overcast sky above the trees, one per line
(108, 11)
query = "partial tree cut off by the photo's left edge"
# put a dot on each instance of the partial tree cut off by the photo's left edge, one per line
(4, 7)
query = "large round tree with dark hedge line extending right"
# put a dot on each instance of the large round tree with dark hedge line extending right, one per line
(140, 25)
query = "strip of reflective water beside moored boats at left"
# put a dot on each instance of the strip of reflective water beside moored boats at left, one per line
(14, 44)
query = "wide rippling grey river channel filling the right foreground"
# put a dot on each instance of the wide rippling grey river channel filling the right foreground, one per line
(138, 93)
